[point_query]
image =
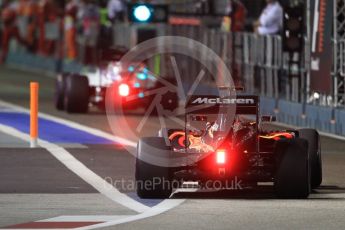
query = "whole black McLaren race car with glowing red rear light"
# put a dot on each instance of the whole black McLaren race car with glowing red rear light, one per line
(212, 148)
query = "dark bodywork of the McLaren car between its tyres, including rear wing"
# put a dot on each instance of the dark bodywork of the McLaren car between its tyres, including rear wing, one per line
(251, 153)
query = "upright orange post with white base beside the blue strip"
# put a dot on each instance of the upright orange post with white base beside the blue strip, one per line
(34, 86)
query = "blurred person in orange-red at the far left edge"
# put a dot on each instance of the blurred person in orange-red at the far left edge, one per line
(10, 28)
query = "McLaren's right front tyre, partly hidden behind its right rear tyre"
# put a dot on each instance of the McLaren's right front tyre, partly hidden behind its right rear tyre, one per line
(313, 138)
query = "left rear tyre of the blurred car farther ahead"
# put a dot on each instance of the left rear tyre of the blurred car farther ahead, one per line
(77, 93)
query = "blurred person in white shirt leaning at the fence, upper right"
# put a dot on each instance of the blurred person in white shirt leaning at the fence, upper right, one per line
(271, 19)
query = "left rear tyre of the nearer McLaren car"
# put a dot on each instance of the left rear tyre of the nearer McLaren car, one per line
(153, 182)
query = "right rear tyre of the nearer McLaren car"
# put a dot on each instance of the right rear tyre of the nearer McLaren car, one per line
(292, 179)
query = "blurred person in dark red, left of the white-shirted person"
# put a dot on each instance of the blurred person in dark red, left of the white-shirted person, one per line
(235, 20)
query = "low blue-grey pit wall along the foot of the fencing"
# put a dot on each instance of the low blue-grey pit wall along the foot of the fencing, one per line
(325, 119)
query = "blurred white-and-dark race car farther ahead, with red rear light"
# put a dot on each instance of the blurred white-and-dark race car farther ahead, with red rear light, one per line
(75, 93)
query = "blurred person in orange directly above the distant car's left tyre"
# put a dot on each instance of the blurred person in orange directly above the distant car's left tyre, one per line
(71, 11)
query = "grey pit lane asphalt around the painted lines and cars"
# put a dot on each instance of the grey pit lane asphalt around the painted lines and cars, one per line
(33, 185)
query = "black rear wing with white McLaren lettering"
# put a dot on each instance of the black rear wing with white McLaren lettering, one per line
(206, 104)
